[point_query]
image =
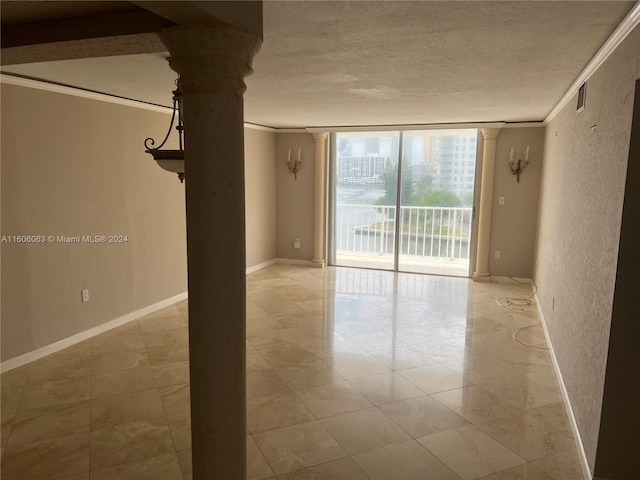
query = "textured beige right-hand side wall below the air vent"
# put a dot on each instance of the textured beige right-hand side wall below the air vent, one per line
(579, 229)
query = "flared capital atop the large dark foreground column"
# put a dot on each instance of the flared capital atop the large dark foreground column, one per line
(211, 58)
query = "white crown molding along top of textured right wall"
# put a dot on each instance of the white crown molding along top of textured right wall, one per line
(627, 25)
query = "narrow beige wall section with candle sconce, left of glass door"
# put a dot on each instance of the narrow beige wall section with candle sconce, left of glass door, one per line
(294, 197)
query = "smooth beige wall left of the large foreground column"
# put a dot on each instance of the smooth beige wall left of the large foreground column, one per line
(73, 166)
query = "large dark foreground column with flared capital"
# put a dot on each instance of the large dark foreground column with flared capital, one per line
(212, 61)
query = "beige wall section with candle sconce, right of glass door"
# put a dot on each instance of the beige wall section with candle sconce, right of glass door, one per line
(513, 225)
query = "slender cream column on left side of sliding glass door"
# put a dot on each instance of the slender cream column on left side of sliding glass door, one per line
(319, 200)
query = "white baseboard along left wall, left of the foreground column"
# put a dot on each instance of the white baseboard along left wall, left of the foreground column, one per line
(87, 334)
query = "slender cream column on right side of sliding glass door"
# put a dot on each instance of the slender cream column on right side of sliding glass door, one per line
(489, 135)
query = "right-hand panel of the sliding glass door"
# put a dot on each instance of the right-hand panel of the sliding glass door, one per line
(438, 176)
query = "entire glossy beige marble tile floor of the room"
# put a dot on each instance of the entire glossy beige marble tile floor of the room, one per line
(351, 374)
